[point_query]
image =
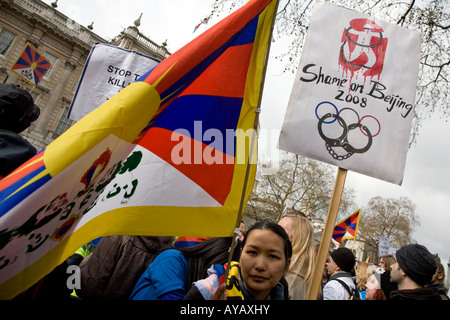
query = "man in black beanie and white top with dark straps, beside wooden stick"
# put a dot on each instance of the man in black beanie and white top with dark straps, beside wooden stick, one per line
(340, 267)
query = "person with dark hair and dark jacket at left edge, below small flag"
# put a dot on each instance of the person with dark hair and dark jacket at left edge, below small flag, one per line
(17, 112)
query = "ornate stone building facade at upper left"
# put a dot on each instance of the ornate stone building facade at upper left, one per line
(67, 44)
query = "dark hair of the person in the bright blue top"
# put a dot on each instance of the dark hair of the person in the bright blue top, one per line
(203, 255)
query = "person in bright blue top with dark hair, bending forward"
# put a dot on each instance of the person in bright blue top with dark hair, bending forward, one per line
(173, 271)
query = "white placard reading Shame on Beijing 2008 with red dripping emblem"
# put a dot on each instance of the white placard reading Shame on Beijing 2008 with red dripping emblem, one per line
(353, 96)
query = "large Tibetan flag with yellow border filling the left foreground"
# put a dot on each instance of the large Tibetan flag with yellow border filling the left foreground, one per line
(167, 155)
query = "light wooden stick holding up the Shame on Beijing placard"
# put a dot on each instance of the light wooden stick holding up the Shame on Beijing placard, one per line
(333, 209)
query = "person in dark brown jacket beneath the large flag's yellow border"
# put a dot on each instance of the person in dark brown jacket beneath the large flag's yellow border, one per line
(116, 264)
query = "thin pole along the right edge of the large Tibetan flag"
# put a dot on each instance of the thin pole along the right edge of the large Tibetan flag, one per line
(252, 144)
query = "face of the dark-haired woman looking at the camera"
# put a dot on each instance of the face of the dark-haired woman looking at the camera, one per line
(263, 262)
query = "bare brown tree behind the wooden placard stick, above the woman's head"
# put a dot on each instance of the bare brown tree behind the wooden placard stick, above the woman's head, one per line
(299, 183)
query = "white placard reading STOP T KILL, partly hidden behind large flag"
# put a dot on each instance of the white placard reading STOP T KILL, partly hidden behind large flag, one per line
(108, 70)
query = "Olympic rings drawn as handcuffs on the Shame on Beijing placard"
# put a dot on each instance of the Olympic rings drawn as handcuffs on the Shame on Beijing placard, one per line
(329, 117)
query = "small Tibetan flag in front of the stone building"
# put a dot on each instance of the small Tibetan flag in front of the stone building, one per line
(31, 65)
